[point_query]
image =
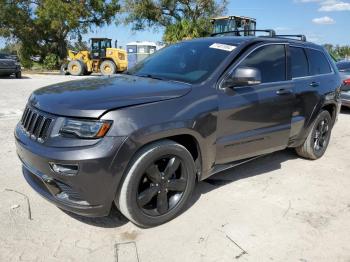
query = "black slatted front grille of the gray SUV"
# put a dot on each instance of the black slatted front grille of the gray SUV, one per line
(36, 124)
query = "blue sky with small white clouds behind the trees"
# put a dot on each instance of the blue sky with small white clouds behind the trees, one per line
(322, 21)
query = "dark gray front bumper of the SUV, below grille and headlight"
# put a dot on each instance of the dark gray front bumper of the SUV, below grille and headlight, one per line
(90, 192)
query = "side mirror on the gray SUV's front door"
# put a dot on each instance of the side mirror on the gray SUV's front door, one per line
(243, 76)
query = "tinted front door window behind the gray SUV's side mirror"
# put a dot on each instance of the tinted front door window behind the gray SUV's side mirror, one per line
(270, 60)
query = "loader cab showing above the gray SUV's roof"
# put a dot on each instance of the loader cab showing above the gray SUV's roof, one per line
(244, 26)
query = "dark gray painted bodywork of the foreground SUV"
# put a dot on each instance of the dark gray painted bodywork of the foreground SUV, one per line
(228, 124)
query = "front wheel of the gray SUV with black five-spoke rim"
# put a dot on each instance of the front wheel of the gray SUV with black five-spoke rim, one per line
(158, 184)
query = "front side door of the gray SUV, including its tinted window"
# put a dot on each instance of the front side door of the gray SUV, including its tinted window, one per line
(254, 120)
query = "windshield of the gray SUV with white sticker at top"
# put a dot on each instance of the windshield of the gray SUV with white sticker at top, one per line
(190, 62)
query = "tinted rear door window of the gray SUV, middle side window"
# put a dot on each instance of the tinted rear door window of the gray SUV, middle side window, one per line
(299, 62)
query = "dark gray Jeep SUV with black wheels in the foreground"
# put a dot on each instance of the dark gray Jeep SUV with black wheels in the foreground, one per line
(141, 140)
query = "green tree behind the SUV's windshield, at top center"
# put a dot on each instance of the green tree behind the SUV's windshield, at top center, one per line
(180, 19)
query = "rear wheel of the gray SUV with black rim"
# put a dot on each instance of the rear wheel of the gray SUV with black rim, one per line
(317, 141)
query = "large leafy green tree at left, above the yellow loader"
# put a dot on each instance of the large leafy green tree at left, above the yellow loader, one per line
(42, 27)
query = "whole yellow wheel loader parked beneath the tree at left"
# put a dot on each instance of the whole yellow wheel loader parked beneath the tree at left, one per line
(102, 58)
